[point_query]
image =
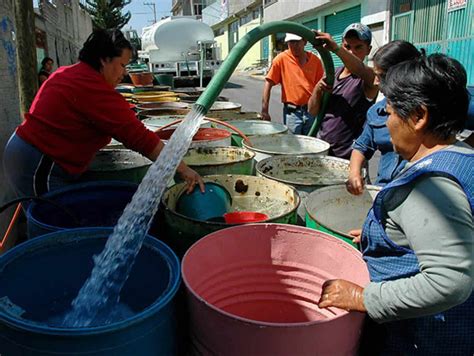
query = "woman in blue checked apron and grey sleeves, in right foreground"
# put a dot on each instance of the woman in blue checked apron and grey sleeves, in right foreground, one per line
(417, 239)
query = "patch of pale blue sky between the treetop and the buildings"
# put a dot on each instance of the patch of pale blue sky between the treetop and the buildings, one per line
(142, 15)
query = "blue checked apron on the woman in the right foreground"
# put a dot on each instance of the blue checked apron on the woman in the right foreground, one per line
(447, 333)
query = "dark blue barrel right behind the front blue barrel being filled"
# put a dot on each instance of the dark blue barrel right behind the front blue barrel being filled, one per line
(93, 204)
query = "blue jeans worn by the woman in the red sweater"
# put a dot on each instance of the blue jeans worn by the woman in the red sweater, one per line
(29, 171)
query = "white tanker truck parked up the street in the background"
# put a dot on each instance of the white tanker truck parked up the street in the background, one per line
(182, 46)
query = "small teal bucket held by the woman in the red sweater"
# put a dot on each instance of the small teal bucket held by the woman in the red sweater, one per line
(210, 205)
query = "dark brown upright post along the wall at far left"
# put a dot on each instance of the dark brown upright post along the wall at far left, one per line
(26, 53)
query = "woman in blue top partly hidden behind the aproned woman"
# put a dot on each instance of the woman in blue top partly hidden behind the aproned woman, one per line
(375, 135)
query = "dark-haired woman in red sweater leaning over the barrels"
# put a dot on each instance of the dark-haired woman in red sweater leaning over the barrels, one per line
(75, 114)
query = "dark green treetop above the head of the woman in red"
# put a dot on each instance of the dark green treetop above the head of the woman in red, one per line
(108, 13)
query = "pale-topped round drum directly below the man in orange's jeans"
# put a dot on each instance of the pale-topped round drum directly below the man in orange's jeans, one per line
(282, 144)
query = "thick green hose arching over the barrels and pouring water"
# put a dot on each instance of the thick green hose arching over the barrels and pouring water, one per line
(217, 83)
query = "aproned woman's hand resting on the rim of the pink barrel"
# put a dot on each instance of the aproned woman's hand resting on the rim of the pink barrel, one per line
(342, 294)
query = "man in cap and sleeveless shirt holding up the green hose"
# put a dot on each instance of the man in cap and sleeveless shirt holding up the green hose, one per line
(353, 91)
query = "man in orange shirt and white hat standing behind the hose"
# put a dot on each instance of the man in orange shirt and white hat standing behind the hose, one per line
(298, 72)
